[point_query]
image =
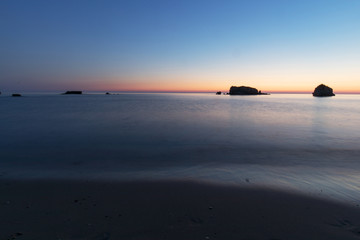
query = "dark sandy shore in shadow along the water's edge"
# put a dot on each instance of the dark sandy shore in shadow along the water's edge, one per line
(95, 210)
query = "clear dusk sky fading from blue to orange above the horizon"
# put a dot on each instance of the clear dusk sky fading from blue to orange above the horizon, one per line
(158, 45)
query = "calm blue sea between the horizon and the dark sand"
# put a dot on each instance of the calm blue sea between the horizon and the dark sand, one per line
(292, 142)
